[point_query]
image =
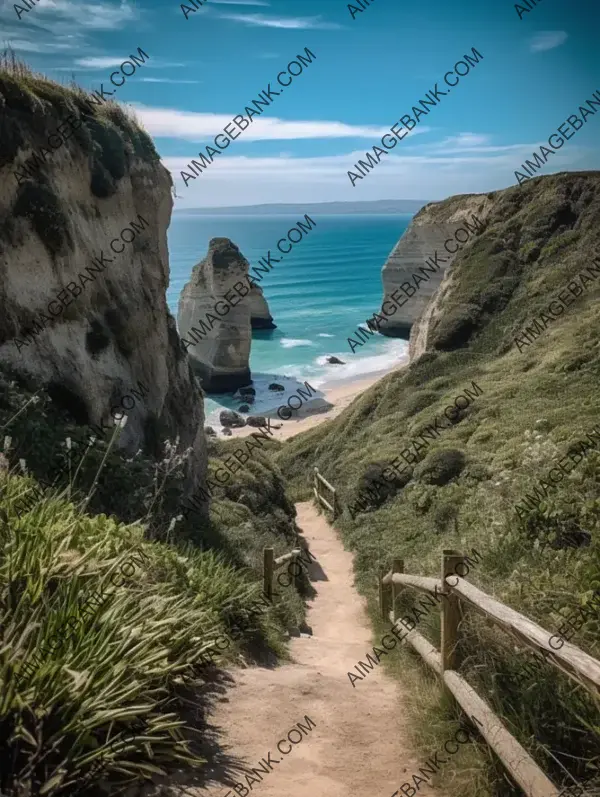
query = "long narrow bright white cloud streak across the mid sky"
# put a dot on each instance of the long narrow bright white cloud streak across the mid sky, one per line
(169, 122)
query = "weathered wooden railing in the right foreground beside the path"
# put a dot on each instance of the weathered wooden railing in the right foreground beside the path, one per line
(578, 665)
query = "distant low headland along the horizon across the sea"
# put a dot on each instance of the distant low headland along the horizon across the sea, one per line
(379, 206)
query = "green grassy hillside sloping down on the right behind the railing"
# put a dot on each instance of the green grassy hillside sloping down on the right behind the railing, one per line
(463, 474)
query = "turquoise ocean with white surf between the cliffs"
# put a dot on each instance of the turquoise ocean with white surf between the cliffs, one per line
(318, 295)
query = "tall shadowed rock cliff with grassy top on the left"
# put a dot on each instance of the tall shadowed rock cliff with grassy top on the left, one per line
(84, 213)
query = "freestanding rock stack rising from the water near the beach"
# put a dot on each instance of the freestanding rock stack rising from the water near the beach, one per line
(215, 319)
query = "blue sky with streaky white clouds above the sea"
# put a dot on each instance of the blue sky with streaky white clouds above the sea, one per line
(368, 72)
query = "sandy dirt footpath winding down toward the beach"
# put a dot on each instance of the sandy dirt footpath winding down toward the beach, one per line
(359, 744)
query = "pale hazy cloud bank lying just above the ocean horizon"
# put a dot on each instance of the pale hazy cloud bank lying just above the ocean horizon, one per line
(241, 180)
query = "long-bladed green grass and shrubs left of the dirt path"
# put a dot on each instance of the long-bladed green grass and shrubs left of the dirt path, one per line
(96, 672)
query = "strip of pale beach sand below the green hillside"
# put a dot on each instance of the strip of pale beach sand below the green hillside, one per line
(336, 398)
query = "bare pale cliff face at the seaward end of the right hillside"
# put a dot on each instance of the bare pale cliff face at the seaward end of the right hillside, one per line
(428, 232)
